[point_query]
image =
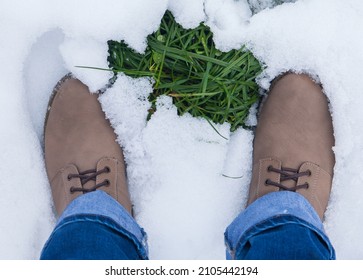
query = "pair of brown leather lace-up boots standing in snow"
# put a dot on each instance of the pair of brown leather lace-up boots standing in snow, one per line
(292, 147)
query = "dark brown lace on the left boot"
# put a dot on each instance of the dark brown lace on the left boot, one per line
(89, 175)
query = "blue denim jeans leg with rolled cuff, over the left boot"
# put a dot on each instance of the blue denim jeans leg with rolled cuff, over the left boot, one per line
(95, 226)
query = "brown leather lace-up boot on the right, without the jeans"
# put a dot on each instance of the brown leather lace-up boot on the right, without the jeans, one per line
(293, 143)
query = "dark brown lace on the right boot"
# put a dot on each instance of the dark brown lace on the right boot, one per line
(288, 174)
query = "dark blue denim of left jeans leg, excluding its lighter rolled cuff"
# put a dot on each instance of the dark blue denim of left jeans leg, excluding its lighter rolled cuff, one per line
(88, 240)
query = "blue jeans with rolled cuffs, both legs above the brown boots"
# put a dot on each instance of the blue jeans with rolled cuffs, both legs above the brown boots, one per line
(280, 225)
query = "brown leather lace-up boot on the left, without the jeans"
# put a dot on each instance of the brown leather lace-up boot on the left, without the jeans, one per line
(81, 152)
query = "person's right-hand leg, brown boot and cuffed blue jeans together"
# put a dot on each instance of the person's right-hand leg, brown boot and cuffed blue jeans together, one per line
(291, 178)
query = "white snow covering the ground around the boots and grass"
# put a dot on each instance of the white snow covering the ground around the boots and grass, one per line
(175, 164)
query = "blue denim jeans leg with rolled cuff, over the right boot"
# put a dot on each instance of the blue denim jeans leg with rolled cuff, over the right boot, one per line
(279, 225)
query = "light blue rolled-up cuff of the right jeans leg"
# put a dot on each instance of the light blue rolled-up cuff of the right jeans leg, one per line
(258, 216)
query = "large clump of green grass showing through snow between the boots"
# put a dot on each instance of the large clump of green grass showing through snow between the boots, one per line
(185, 64)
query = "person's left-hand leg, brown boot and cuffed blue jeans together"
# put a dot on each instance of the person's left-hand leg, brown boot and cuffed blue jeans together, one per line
(86, 170)
